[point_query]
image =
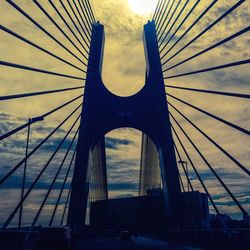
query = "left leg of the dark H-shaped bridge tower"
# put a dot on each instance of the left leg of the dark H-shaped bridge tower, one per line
(80, 186)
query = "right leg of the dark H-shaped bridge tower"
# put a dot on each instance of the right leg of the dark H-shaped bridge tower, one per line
(168, 163)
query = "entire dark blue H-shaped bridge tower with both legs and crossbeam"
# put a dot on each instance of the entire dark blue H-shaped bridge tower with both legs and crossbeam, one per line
(103, 111)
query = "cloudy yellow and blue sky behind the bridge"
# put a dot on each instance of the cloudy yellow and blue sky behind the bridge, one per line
(123, 74)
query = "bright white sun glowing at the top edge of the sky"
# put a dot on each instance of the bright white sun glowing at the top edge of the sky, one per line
(143, 7)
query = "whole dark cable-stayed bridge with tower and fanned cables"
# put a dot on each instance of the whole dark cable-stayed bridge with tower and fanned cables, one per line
(176, 200)
